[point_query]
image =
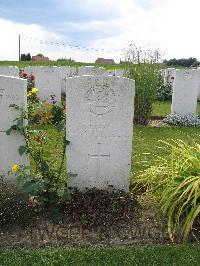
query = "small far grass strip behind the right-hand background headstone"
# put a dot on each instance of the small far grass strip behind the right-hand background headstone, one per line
(163, 108)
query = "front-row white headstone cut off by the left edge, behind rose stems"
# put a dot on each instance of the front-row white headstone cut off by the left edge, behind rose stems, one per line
(12, 91)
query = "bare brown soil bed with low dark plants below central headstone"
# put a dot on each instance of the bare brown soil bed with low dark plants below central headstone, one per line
(93, 218)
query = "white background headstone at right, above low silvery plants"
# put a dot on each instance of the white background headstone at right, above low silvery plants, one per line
(186, 89)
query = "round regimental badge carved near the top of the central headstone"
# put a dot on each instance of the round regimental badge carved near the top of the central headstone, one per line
(101, 99)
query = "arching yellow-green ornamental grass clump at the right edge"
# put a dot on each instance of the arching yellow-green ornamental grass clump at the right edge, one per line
(174, 181)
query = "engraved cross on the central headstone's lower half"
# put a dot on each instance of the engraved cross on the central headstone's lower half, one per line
(99, 156)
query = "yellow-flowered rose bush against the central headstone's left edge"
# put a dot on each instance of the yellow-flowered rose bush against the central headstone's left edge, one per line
(45, 183)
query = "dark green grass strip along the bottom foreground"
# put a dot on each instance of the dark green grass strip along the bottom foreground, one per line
(138, 255)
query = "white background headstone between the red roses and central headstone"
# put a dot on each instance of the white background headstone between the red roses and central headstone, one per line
(48, 81)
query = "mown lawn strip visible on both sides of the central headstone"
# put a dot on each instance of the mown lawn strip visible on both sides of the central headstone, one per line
(146, 143)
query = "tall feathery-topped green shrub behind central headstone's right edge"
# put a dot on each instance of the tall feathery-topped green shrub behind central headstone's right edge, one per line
(143, 68)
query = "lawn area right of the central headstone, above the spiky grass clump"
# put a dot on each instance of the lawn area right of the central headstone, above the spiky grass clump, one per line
(146, 143)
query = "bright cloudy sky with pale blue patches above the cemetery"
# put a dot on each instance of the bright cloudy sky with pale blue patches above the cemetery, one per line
(110, 25)
